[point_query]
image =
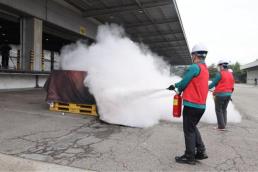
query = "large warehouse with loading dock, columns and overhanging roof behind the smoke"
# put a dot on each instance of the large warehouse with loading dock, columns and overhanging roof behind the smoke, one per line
(38, 29)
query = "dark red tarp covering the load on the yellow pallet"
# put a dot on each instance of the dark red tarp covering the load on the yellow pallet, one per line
(67, 86)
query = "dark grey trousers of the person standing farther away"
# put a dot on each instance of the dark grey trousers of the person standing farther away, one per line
(221, 104)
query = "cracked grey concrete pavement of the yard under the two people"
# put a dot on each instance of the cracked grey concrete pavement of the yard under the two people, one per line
(28, 130)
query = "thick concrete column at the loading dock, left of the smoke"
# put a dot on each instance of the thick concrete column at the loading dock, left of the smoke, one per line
(31, 43)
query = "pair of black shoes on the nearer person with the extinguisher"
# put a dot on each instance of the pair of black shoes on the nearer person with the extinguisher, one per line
(185, 159)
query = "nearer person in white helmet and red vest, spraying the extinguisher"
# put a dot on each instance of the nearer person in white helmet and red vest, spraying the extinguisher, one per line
(194, 86)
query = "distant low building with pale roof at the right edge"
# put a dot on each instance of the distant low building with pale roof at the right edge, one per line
(252, 71)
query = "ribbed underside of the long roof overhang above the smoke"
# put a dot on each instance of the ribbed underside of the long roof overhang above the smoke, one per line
(156, 23)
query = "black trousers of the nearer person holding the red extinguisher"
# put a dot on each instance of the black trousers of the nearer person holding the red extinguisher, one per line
(193, 139)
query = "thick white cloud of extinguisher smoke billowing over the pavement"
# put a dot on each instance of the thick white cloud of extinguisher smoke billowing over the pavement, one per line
(127, 80)
